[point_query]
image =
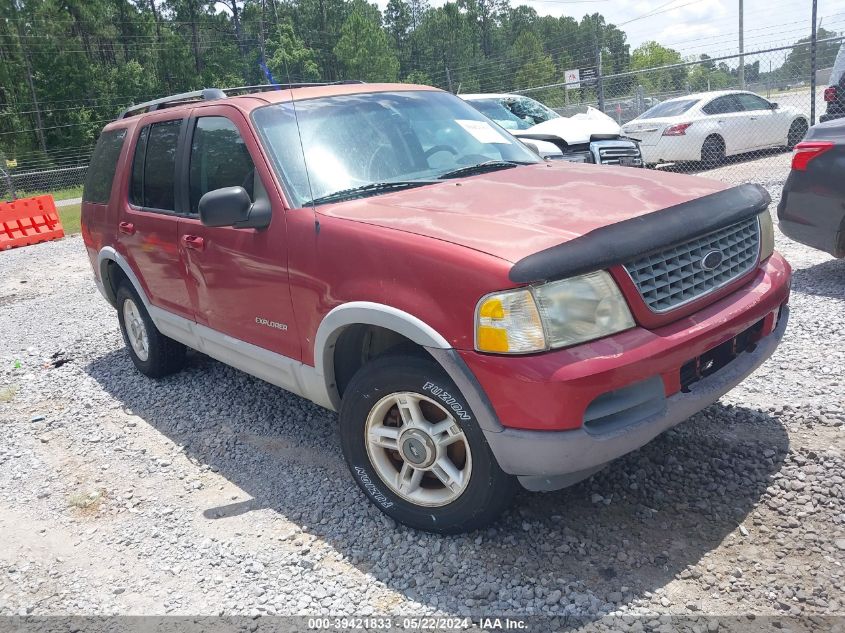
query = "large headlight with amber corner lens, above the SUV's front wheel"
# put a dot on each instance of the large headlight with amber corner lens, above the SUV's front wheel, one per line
(556, 314)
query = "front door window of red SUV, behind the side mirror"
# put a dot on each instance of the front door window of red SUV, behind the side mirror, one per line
(219, 158)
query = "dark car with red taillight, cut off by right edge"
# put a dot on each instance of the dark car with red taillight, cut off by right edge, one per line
(812, 207)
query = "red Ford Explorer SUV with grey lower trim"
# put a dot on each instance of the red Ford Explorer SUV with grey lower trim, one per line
(479, 317)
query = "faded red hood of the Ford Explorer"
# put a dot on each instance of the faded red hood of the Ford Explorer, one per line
(517, 212)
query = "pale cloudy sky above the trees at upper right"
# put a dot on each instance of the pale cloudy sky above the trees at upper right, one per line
(700, 26)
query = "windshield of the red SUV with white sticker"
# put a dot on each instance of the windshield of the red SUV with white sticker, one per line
(360, 140)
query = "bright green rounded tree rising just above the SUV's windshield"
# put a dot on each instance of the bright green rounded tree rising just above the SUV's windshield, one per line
(363, 50)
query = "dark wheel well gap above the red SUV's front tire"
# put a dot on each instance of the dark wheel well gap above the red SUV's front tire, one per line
(360, 343)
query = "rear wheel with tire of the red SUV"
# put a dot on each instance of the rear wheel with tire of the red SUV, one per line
(152, 353)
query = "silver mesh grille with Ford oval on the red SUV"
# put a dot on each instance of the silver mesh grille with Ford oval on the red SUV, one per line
(670, 278)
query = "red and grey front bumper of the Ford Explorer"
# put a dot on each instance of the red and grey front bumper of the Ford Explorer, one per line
(553, 418)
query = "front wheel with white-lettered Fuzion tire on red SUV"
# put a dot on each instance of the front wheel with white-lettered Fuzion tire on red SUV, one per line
(414, 448)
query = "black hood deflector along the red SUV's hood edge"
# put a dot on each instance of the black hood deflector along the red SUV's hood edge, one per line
(630, 239)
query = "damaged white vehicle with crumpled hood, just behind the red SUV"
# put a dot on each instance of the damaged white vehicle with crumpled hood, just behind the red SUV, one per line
(589, 137)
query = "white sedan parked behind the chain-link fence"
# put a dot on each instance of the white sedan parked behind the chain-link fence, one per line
(709, 126)
